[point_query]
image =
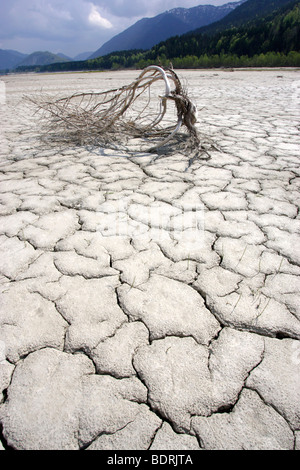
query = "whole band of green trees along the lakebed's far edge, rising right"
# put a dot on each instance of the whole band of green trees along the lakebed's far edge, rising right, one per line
(273, 41)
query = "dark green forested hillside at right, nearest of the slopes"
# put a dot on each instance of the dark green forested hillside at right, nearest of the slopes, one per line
(271, 39)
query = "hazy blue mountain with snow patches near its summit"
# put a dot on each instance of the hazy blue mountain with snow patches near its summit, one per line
(147, 32)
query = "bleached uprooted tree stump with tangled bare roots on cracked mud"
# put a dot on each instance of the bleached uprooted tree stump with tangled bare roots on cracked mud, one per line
(119, 116)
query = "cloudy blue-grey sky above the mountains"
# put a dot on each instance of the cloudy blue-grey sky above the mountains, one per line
(75, 26)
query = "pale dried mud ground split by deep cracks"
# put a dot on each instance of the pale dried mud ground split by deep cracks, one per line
(145, 305)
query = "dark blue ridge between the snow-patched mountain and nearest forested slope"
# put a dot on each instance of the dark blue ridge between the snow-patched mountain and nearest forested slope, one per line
(248, 11)
